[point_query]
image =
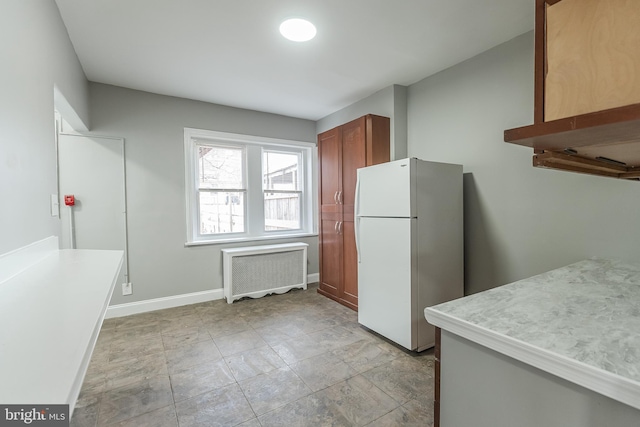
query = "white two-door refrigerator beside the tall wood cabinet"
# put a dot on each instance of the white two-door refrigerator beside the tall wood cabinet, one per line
(409, 238)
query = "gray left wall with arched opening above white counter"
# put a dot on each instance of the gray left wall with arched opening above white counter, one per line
(36, 56)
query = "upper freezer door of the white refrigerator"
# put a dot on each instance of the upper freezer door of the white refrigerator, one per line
(385, 190)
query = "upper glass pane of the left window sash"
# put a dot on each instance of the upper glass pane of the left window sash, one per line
(220, 167)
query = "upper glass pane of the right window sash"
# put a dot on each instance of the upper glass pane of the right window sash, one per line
(280, 171)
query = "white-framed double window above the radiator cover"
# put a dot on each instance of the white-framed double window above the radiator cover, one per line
(242, 187)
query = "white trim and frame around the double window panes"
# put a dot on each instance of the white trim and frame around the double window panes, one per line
(310, 215)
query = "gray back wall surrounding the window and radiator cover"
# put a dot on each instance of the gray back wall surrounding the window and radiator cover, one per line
(153, 128)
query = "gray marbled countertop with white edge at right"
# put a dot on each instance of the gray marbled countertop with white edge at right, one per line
(580, 322)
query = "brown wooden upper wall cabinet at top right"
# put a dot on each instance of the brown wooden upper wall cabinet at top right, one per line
(587, 88)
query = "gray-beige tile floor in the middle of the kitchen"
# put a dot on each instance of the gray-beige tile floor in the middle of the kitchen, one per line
(297, 359)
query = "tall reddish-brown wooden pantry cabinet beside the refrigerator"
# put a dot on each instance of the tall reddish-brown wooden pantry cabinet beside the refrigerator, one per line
(341, 151)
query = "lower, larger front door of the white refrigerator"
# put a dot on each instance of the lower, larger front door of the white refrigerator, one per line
(385, 291)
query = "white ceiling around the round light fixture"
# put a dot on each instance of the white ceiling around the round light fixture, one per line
(230, 51)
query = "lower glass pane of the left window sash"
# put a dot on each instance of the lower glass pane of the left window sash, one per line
(221, 212)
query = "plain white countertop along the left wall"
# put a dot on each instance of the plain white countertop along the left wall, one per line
(50, 317)
